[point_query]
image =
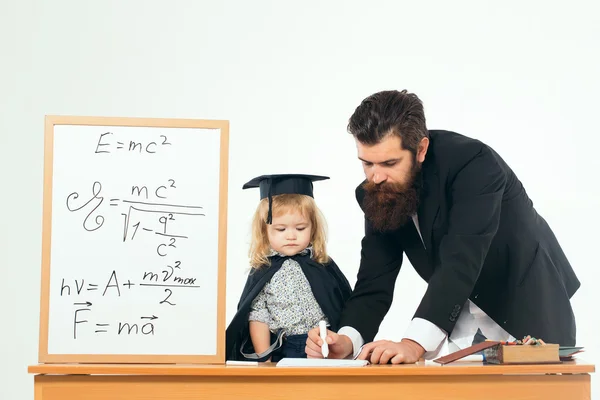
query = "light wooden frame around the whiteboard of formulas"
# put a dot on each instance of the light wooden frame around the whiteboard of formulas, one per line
(50, 122)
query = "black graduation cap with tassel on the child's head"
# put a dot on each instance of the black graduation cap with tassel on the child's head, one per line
(272, 185)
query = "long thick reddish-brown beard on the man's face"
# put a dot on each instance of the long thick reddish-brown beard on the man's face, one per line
(388, 206)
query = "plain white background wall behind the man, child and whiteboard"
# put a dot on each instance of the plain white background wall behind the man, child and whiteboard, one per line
(519, 75)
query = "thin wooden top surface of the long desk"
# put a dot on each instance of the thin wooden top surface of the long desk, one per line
(269, 369)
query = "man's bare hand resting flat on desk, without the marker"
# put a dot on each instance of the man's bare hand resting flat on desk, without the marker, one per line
(382, 351)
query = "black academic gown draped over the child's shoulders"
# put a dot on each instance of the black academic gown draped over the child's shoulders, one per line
(329, 286)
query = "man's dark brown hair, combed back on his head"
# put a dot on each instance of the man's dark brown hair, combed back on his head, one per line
(390, 112)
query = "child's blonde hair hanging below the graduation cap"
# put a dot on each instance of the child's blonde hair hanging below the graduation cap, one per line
(282, 204)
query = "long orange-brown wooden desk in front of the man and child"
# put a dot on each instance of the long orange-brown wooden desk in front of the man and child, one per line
(465, 381)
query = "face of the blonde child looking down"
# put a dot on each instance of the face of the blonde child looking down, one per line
(289, 233)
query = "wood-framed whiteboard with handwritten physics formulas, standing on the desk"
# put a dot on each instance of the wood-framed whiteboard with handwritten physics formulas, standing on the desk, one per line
(134, 258)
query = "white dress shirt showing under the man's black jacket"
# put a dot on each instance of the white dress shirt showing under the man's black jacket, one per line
(434, 340)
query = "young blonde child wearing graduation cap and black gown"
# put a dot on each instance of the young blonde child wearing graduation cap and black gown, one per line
(293, 283)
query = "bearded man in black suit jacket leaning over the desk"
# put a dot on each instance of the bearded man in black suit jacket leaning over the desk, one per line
(493, 266)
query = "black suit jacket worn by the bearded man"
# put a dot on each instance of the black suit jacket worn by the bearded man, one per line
(484, 241)
